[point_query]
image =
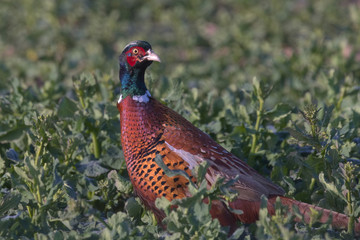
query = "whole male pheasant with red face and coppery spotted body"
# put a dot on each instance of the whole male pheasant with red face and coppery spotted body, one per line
(149, 128)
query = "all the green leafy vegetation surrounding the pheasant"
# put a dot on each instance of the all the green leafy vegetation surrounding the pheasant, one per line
(275, 82)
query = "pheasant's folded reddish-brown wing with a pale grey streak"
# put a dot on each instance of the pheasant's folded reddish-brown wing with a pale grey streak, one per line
(194, 147)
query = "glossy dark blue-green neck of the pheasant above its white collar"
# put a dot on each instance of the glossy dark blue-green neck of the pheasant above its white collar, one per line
(132, 81)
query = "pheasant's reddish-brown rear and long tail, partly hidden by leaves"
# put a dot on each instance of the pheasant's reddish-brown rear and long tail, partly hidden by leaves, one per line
(251, 212)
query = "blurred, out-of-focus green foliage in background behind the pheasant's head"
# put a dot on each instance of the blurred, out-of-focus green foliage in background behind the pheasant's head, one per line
(207, 45)
